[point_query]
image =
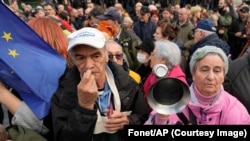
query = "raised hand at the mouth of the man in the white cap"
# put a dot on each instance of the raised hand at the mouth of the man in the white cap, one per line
(87, 90)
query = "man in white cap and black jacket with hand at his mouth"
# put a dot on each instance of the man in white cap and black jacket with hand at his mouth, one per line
(96, 97)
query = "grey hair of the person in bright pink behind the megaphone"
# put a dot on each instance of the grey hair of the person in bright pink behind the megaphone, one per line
(170, 51)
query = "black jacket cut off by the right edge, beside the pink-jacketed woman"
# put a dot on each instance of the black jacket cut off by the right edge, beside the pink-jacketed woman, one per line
(238, 79)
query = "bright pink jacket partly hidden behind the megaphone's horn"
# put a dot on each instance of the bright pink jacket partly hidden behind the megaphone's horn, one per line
(175, 72)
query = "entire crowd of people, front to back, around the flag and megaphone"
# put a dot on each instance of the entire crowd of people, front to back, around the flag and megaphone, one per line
(111, 54)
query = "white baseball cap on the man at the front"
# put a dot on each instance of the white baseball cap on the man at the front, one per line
(86, 36)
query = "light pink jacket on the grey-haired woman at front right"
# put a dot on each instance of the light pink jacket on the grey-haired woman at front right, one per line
(226, 110)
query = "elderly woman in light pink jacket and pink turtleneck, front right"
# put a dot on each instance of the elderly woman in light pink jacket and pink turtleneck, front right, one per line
(210, 104)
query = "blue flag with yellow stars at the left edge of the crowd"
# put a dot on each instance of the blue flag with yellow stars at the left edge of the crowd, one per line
(27, 63)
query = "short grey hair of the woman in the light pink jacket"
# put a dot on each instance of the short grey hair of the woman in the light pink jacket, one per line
(200, 53)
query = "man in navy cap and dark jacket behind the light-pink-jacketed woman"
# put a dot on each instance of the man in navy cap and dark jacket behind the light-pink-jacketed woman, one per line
(205, 34)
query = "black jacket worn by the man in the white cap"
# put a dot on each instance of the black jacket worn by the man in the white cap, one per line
(72, 122)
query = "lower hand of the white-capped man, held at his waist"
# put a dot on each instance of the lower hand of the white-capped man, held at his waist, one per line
(116, 121)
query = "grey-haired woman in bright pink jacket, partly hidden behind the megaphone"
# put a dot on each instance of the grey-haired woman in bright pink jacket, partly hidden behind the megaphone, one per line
(169, 54)
